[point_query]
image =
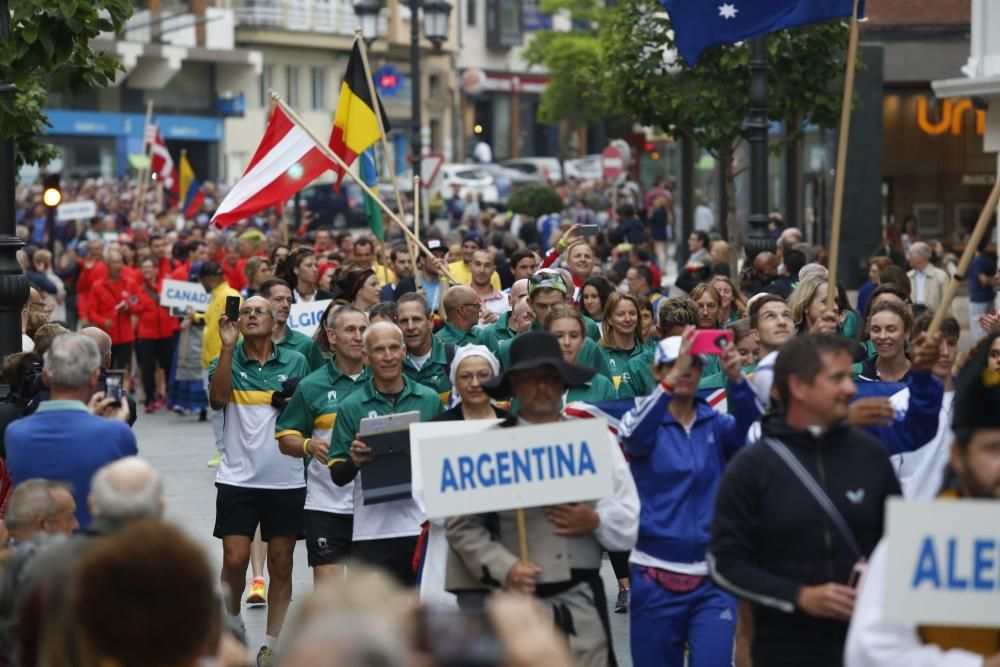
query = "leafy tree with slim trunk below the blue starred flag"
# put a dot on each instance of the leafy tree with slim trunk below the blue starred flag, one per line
(711, 103)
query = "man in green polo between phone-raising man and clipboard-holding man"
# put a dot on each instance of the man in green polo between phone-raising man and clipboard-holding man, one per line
(304, 431)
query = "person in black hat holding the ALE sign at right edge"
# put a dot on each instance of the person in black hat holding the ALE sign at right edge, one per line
(873, 640)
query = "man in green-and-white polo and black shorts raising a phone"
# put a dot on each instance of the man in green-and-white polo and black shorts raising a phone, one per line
(256, 484)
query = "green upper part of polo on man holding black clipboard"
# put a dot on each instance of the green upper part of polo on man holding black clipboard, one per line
(366, 401)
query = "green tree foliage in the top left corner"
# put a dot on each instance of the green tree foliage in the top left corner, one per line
(49, 51)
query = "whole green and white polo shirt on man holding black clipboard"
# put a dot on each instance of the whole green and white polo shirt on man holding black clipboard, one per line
(397, 518)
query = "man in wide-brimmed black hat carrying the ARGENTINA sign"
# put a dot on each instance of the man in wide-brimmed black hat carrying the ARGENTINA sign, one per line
(565, 542)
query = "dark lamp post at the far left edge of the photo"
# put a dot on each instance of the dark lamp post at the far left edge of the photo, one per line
(13, 283)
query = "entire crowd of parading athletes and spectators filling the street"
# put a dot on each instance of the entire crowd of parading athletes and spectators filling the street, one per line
(760, 428)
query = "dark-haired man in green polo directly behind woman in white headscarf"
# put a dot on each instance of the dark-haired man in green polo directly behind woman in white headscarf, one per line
(427, 358)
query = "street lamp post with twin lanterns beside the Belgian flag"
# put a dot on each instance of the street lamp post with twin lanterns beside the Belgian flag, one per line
(435, 15)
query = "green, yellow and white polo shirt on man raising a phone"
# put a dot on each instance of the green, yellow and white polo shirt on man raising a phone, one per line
(250, 456)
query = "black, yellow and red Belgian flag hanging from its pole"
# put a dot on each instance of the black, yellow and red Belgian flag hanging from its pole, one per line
(355, 127)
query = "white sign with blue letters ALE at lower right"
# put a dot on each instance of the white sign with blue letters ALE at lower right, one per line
(945, 558)
